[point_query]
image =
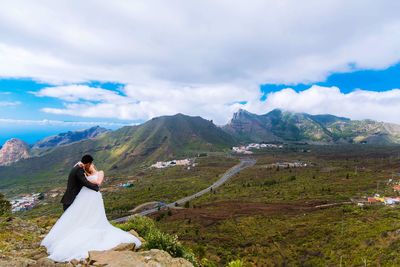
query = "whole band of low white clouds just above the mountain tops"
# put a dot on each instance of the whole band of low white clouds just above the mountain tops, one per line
(142, 102)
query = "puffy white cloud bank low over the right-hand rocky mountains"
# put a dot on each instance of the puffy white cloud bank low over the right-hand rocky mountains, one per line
(359, 104)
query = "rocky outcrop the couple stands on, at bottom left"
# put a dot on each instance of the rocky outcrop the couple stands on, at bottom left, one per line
(20, 246)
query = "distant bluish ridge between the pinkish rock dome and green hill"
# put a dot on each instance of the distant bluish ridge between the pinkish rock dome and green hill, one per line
(69, 138)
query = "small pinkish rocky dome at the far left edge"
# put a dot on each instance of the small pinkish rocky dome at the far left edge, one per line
(12, 151)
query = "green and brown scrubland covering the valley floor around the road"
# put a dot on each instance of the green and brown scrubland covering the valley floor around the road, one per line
(271, 216)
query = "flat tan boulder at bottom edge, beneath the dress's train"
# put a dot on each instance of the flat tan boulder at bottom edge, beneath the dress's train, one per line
(149, 258)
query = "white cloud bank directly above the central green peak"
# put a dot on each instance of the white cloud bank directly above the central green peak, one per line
(142, 102)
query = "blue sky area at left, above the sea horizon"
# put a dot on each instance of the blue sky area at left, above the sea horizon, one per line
(22, 117)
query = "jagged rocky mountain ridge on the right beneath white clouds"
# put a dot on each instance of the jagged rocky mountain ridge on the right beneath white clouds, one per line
(279, 125)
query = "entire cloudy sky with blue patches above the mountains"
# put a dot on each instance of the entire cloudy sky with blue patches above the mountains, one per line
(69, 65)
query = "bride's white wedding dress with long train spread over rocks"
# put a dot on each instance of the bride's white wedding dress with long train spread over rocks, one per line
(84, 227)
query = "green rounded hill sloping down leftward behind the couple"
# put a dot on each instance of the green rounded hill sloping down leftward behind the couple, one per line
(121, 151)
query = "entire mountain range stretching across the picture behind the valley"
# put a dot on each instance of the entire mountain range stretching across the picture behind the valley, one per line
(179, 135)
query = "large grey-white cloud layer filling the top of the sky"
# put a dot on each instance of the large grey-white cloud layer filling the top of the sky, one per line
(200, 42)
